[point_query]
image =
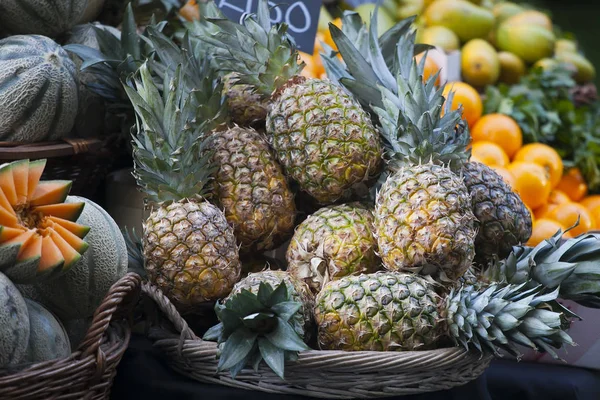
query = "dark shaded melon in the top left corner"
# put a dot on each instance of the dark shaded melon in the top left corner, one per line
(49, 18)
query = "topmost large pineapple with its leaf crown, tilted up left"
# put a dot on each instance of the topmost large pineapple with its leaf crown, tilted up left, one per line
(321, 136)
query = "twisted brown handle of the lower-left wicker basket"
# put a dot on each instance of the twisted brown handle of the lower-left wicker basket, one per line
(121, 296)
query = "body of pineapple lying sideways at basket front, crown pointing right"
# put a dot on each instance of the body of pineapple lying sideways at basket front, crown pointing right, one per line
(383, 311)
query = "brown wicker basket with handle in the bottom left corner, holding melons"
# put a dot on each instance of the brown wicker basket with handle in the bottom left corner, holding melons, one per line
(89, 372)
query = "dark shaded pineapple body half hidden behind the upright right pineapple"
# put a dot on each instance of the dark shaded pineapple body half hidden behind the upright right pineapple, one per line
(503, 220)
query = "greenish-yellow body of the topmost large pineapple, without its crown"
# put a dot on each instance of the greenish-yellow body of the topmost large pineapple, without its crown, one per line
(323, 138)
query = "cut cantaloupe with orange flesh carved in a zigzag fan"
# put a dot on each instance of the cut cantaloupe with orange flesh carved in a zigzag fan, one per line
(38, 236)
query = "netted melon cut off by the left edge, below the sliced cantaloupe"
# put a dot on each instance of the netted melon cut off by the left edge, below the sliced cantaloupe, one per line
(14, 324)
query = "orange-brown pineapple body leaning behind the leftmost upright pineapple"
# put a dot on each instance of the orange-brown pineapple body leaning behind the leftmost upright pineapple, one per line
(252, 190)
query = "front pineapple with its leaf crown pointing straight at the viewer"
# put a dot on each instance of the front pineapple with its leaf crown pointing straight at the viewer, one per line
(267, 316)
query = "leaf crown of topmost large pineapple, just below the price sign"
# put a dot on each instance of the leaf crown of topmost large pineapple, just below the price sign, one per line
(263, 55)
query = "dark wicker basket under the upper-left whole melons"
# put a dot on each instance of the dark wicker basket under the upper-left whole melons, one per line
(86, 162)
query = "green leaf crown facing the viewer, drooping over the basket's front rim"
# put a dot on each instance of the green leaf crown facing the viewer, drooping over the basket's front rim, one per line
(257, 327)
